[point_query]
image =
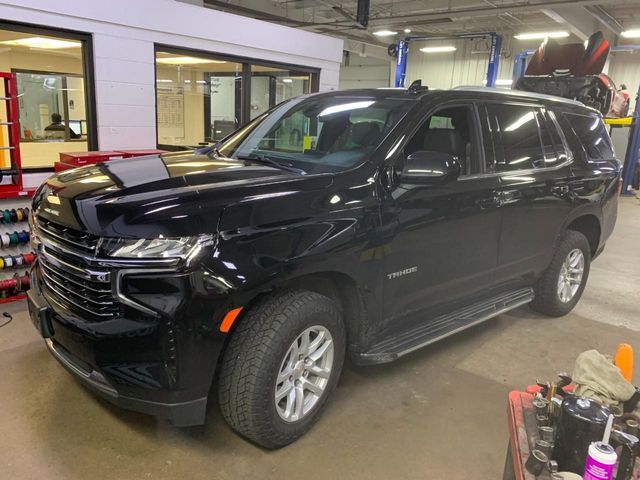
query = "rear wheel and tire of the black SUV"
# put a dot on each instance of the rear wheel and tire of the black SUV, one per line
(548, 297)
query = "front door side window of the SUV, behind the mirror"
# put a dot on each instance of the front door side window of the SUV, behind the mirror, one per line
(450, 130)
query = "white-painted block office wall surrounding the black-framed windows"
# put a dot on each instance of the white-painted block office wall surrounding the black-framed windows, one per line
(124, 33)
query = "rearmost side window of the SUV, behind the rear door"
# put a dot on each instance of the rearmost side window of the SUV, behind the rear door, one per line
(587, 133)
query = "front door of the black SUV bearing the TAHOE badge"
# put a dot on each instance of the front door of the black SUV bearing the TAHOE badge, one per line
(442, 239)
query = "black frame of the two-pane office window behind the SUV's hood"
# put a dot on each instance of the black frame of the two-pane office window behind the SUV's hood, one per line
(243, 103)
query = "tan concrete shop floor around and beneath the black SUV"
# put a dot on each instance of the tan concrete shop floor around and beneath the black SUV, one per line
(438, 413)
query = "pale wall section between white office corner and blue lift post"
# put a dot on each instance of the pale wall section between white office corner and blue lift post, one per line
(365, 72)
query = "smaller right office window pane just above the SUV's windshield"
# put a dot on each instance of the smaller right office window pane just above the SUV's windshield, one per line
(270, 86)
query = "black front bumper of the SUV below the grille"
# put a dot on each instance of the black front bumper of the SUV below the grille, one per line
(160, 366)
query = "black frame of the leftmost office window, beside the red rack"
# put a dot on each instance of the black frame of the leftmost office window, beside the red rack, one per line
(88, 71)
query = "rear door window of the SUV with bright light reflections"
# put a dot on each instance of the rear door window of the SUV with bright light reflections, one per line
(516, 130)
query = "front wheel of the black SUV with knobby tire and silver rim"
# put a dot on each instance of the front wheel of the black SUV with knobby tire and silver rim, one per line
(252, 365)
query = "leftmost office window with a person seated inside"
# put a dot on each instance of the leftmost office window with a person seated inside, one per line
(53, 106)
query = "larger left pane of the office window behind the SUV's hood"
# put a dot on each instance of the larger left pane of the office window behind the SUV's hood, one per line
(198, 98)
